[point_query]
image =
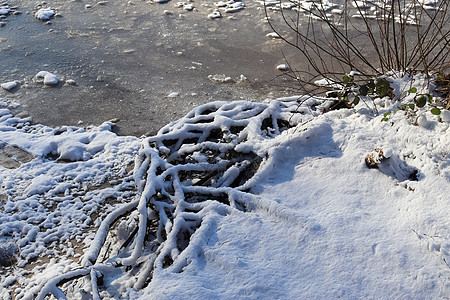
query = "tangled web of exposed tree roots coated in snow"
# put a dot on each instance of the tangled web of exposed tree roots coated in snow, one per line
(192, 172)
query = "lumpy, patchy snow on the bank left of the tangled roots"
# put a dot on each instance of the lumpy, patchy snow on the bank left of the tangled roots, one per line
(48, 204)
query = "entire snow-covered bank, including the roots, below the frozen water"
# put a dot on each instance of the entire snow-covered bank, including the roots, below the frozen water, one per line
(268, 200)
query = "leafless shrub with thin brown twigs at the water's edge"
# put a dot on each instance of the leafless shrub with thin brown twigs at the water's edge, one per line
(370, 37)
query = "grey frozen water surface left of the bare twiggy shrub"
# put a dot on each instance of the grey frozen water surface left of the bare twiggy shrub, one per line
(127, 57)
